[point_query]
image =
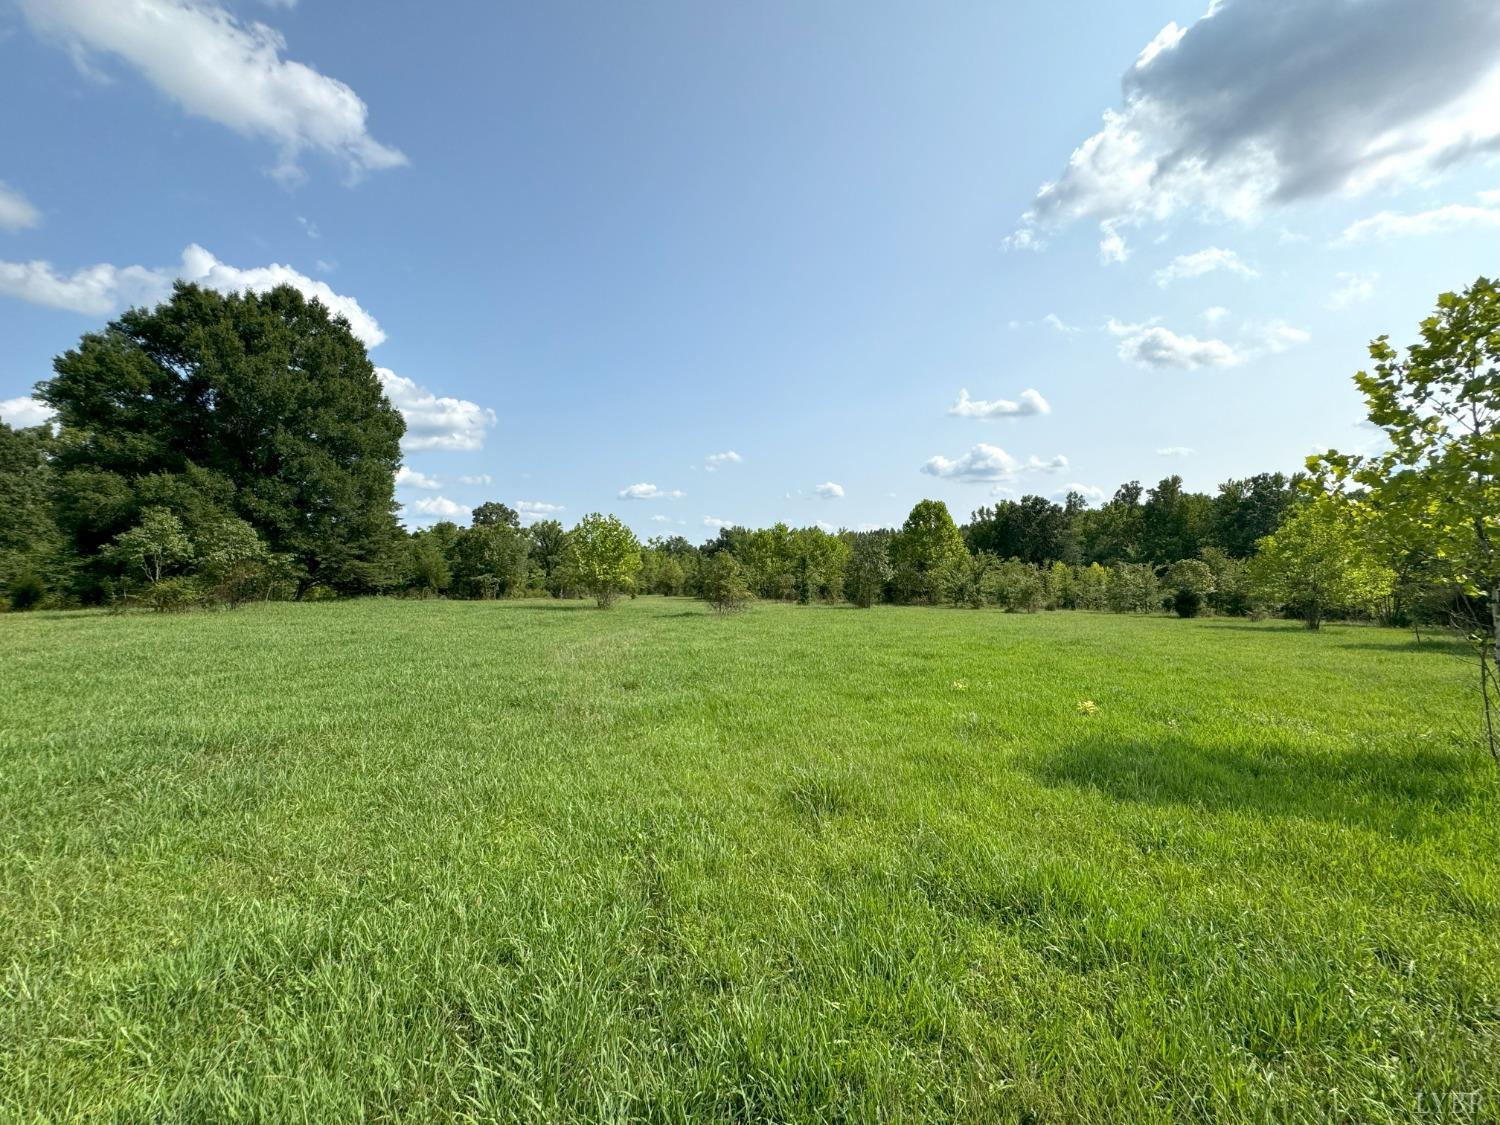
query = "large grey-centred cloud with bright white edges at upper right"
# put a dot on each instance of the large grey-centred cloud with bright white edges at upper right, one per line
(1274, 101)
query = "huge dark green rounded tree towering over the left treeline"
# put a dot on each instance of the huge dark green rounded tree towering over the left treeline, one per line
(263, 407)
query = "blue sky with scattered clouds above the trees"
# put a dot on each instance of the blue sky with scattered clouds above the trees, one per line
(598, 245)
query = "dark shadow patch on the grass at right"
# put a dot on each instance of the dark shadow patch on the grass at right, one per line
(1384, 791)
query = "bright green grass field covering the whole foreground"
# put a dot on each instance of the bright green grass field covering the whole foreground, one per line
(532, 862)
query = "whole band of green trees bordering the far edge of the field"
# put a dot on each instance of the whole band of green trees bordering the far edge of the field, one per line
(221, 448)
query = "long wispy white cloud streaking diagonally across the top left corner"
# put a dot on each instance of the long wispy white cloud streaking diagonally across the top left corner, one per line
(226, 71)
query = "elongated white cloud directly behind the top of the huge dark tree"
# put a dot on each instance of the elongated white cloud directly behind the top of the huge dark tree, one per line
(101, 290)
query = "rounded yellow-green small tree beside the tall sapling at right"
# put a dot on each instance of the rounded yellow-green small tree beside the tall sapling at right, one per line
(1318, 562)
